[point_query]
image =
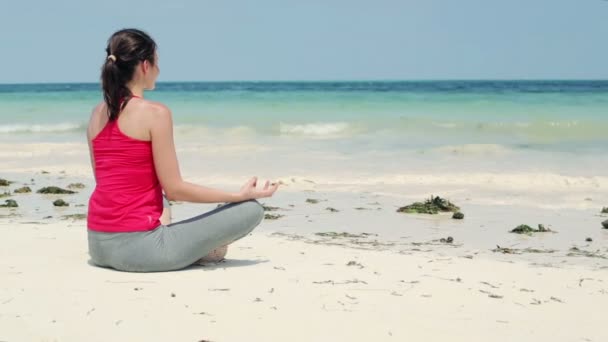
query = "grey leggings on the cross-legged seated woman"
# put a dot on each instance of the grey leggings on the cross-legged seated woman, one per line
(177, 245)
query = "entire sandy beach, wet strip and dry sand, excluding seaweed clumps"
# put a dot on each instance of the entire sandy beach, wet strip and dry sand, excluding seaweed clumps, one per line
(334, 261)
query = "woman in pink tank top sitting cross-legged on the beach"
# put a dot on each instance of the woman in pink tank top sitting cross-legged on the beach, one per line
(134, 161)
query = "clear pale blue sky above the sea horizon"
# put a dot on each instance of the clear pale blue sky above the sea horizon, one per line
(207, 40)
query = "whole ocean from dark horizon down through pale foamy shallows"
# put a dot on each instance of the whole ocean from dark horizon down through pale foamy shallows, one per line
(493, 123)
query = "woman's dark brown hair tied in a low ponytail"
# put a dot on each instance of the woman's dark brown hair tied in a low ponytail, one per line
(126, 48)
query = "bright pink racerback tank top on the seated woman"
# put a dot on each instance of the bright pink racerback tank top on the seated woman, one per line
(128, 195)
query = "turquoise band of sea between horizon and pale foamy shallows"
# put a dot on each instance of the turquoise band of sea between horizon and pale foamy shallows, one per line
(562, 115)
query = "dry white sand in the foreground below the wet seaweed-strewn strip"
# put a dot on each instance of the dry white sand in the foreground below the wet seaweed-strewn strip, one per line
(272, 289)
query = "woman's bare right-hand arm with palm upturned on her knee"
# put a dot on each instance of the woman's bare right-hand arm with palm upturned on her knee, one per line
(167, 168)
